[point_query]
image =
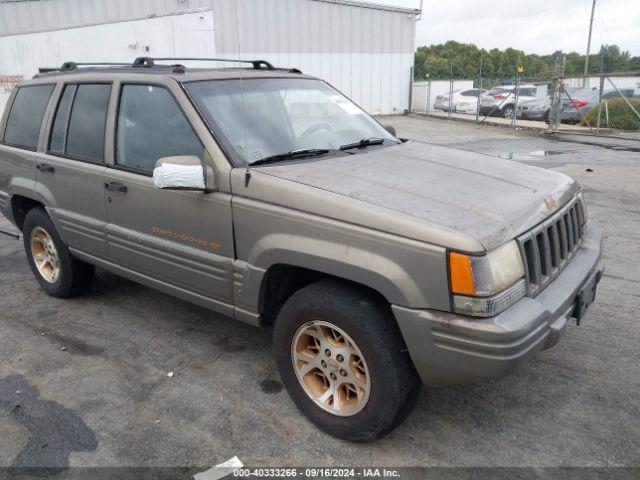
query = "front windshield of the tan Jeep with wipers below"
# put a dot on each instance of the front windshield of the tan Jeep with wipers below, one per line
(256, 119)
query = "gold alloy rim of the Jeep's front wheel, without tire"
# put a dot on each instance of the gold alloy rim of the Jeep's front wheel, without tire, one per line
(330, 368)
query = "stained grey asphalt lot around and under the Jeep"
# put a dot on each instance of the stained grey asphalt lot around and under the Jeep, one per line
(92, 371)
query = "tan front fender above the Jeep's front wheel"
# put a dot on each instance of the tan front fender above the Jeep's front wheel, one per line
(406, 272)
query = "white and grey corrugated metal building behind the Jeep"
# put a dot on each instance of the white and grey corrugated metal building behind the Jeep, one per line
(365, 50)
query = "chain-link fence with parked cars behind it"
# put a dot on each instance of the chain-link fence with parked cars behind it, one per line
(600, 104)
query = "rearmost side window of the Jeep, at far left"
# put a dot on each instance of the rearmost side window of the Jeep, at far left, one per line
(26, 114)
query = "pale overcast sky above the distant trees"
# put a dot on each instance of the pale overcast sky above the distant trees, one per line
(535, 26)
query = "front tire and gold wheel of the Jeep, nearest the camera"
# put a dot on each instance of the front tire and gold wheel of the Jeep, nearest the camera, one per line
(342, 359)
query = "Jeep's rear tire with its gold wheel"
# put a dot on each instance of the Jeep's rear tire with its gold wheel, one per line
(57, 271)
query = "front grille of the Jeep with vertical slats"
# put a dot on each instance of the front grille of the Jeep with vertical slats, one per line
(549, 247)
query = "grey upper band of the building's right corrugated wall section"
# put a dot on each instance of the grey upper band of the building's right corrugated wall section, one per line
(304, 26)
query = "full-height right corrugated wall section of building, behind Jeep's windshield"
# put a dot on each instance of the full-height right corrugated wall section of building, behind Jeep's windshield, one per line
(367, 53)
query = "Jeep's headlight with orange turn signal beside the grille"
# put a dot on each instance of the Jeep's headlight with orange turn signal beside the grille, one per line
(489, 284)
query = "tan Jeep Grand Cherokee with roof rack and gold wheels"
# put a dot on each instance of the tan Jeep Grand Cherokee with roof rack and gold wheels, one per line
(265, 195)
